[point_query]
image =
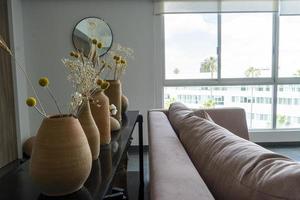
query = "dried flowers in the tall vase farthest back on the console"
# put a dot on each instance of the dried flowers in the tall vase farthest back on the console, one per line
(116, 61)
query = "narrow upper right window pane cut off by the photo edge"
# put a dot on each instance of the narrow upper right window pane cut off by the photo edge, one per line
(289, 46)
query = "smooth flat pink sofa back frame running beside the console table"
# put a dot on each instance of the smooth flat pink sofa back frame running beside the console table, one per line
(172, 174)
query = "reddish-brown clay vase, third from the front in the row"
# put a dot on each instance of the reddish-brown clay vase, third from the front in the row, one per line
(101, 114)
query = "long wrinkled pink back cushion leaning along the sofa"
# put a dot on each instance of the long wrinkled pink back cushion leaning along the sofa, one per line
(234, 168)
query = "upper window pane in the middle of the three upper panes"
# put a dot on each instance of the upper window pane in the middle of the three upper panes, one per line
(246, 45)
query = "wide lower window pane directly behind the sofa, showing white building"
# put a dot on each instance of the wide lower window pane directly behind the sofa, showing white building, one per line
(256, 100)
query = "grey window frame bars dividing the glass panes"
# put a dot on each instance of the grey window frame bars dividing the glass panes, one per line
(274, 80)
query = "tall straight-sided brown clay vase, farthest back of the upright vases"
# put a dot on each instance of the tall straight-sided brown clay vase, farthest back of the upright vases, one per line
(114, 93)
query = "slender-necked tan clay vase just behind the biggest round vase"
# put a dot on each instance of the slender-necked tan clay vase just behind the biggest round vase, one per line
(90, 129)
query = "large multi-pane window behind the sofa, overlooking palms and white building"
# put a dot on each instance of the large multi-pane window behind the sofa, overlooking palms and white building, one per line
(248, 60)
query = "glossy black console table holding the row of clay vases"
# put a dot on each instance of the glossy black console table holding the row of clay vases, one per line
(17, 184)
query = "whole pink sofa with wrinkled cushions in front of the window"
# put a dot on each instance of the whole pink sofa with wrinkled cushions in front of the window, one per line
(207, 155)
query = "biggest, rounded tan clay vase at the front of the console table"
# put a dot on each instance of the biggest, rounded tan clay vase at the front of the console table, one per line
(61, 159)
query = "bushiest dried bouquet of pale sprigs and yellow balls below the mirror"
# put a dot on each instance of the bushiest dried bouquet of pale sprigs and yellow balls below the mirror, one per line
(84, 72)
